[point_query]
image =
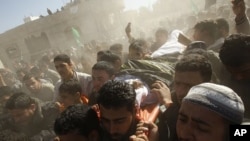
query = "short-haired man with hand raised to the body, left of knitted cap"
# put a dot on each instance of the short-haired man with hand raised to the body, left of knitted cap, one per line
(190, 70)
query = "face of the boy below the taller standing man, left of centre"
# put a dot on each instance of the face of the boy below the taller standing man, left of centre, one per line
(67, 99)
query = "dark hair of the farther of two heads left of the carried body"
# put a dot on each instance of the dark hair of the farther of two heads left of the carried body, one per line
(109, 57)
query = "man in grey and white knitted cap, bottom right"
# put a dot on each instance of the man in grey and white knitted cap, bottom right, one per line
(207, 111)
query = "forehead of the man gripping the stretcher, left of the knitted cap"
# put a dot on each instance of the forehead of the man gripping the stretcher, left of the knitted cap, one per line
(188, 77)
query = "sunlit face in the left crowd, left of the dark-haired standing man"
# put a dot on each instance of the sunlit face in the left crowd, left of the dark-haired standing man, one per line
(32, 85)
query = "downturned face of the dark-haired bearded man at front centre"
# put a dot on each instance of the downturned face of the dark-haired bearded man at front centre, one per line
(116, 122)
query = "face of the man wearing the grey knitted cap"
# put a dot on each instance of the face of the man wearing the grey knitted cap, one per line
(197, 123)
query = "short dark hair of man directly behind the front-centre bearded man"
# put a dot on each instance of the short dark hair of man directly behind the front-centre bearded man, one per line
(106, 66)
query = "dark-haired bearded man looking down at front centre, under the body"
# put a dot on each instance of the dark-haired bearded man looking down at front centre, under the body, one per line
(117, 105)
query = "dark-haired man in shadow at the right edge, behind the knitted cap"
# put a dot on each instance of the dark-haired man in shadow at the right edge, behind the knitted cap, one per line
(235, 56)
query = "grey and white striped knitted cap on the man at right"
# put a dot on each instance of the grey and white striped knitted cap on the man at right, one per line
(218, 98)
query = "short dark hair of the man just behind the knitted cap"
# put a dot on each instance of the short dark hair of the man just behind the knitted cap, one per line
(195, 62)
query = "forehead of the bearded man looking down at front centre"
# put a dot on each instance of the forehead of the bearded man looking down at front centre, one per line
(113, 114)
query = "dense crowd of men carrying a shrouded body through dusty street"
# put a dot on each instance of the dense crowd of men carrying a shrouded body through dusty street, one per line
(175, 88)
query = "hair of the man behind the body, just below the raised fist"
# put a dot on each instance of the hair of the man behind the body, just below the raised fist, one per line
(139, 45)
